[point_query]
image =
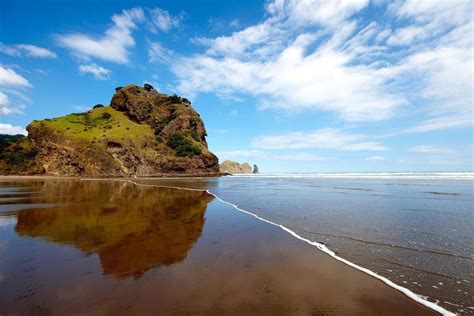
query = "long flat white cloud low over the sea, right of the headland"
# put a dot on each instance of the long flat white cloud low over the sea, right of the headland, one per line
(327, 138)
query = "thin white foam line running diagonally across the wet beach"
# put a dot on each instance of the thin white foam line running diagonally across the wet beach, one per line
(417, 298)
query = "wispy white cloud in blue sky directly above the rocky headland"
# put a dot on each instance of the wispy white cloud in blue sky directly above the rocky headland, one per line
(113, 45)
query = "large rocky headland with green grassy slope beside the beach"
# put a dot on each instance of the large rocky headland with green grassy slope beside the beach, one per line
(142, 133)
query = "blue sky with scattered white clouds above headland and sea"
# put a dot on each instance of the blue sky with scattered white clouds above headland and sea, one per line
(292, 86)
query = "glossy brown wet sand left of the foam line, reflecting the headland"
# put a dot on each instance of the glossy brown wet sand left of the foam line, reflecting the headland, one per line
(98, 247)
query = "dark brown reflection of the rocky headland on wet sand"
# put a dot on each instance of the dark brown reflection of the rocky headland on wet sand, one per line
(131, 228)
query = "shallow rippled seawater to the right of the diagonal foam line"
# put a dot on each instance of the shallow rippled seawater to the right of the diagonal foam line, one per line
(417, 232)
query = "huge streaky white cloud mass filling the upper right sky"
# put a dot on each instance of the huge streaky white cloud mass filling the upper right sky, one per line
(321, 55)
